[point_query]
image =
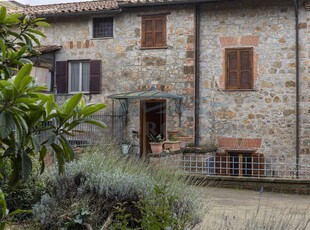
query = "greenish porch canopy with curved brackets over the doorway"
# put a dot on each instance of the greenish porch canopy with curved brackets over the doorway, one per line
(145, 95)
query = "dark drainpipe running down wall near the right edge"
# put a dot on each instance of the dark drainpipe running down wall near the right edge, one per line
(297, 89)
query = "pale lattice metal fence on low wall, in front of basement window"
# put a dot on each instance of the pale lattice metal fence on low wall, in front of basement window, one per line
(245, 166)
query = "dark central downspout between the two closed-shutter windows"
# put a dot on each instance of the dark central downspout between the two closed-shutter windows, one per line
(197, 73)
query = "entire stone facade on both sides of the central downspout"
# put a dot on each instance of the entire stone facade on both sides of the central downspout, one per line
(267, 113)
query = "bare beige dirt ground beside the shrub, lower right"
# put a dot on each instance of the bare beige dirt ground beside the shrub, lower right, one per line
(244, 209)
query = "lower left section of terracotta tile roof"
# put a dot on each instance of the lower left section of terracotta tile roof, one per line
(71, 8)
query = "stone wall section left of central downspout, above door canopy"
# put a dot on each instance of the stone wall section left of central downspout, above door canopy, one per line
(126, 67)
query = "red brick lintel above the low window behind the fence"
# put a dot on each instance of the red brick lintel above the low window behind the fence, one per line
(239, 143)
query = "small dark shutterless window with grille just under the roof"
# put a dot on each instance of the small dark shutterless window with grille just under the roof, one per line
(103, 27)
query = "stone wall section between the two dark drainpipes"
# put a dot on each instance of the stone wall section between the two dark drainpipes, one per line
(268, 111)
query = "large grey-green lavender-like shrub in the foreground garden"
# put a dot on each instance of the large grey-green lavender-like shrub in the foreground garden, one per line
(104, 190)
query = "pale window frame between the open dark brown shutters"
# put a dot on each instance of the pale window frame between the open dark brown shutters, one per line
(80, 76)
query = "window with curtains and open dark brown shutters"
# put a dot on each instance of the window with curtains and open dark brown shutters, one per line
(78, 76)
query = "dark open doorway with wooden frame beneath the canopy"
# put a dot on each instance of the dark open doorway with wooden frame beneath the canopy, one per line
(152, 120)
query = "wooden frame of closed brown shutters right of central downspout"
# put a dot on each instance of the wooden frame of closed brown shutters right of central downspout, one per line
(239, 69)
